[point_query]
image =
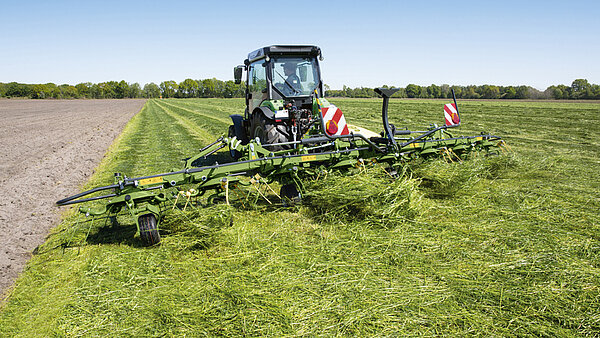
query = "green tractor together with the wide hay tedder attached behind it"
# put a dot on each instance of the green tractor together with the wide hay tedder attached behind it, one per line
(288, 133)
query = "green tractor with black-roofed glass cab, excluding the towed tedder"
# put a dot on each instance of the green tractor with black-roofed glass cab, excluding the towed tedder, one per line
(280, 86)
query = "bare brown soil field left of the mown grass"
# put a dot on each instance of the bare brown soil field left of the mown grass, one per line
(48, 149)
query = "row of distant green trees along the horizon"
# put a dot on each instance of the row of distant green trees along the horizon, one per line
(579, 89)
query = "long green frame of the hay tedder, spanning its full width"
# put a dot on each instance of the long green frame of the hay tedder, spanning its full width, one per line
(149, 190)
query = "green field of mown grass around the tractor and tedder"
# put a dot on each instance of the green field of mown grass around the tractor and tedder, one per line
(495, 246)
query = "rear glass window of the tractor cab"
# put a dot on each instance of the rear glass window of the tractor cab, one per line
(295, 76)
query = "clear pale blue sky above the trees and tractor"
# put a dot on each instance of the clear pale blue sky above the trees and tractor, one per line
(538, 43)
